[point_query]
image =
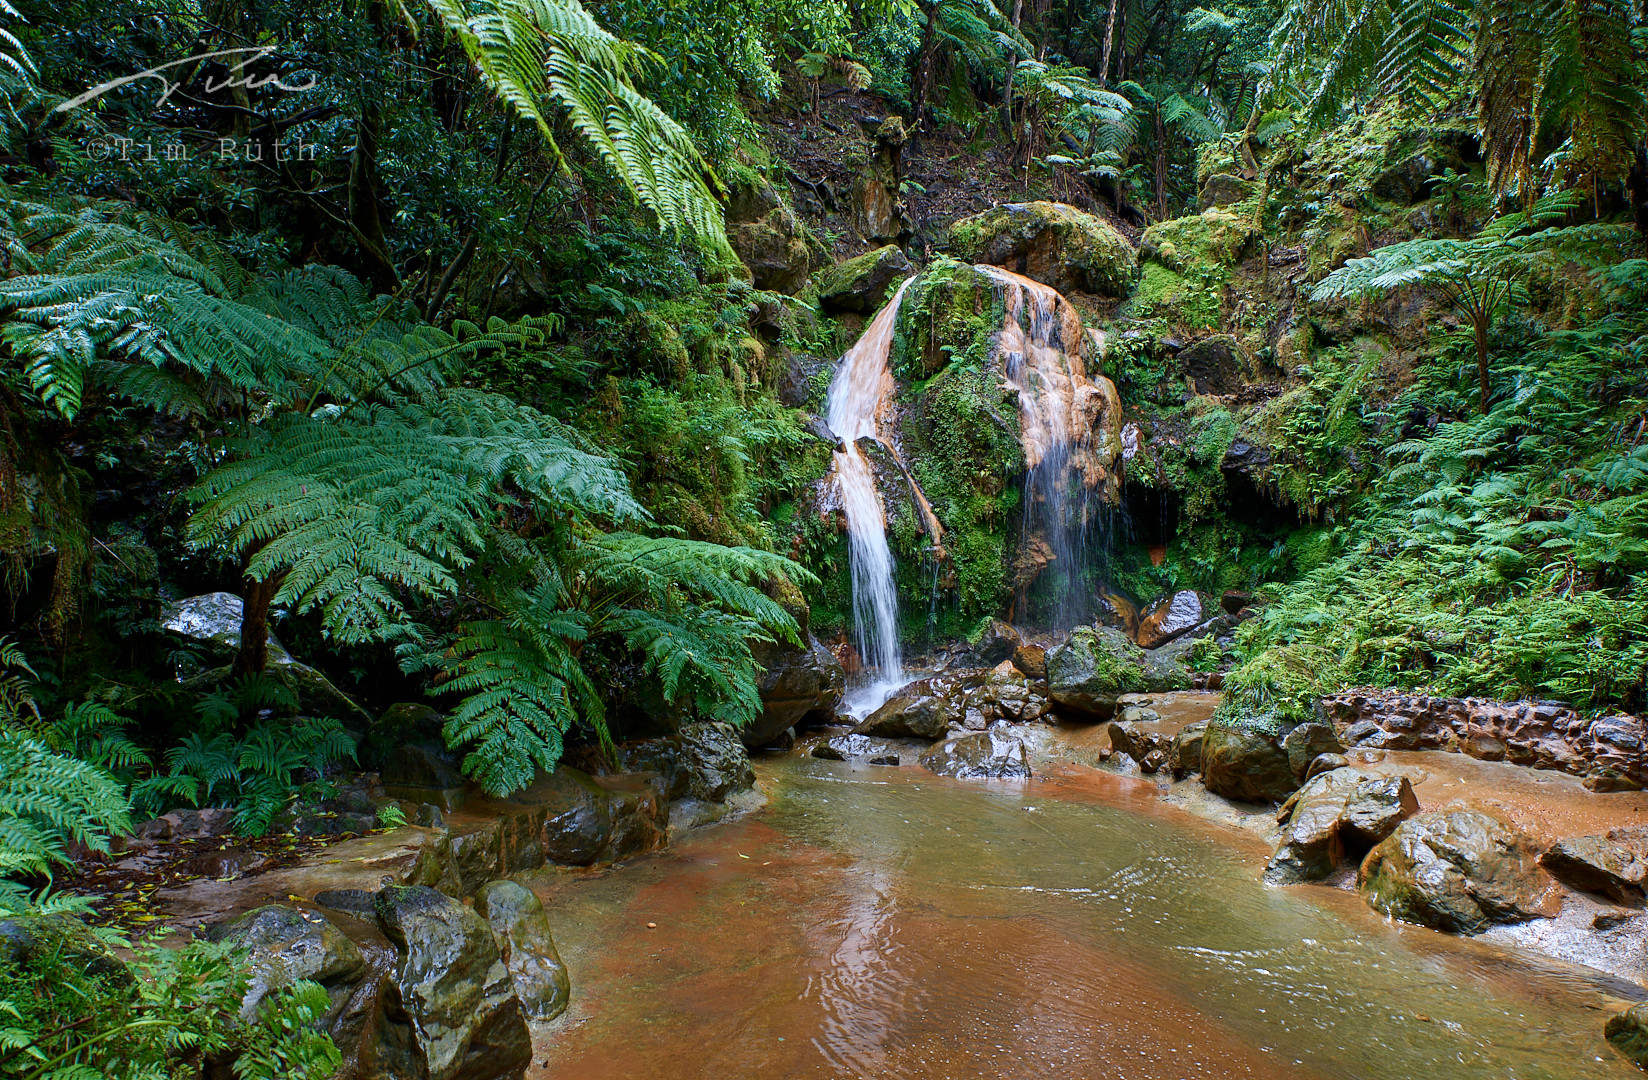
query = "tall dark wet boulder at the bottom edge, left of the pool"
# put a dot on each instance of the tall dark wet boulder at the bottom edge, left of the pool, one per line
(454, 984)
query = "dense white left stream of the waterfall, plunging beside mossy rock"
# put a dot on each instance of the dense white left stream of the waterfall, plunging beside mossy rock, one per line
(858, 395)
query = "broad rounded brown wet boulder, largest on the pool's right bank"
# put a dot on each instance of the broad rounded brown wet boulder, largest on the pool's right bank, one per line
(1458, 870)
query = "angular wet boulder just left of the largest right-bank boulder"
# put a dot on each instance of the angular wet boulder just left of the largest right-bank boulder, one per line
(1334, 817)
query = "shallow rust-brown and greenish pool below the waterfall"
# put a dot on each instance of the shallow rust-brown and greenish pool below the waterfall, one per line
(881, 923)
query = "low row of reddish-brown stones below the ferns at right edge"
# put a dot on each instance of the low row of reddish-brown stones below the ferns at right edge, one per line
(1611, 753)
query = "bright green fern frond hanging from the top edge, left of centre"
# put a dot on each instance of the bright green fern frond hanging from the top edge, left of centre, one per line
(536, 50)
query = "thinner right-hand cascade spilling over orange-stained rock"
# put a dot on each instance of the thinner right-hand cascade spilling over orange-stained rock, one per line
(1067, 484)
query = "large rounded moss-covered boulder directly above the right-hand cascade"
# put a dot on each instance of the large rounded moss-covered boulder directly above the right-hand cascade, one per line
(1052, 243)
